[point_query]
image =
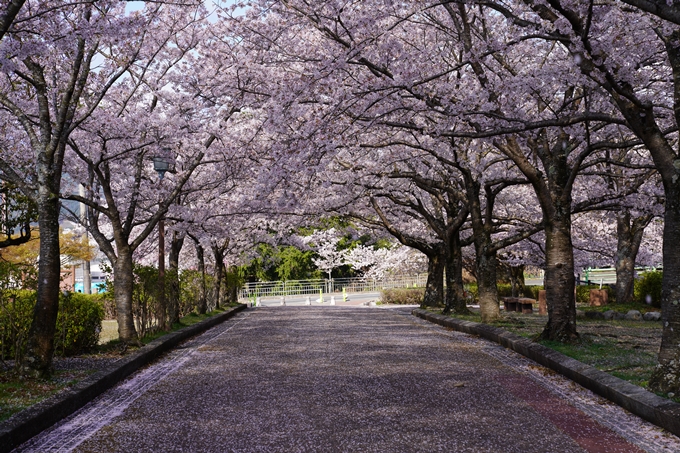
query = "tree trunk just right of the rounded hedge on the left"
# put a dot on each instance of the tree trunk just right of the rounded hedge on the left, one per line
(123, 277)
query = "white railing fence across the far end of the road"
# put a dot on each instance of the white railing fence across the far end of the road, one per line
(336, 285)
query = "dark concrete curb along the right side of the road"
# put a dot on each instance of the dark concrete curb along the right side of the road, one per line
(644, 404)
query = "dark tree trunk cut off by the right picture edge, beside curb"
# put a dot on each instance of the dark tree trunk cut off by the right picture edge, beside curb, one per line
(666, 377)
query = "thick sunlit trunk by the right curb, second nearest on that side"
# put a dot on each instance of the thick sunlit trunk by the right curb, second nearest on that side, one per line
(559, 282)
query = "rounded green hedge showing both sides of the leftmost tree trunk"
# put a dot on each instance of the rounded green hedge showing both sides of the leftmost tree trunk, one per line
(78, 323)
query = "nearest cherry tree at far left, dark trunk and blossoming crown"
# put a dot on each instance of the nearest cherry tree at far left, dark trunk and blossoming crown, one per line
(60, 62)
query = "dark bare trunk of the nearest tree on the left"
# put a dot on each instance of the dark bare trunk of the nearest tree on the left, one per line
(40, 347)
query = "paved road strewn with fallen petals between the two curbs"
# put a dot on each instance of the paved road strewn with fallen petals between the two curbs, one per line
(327, 379)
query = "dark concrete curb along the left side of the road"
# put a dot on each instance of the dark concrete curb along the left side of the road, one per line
(29, 422)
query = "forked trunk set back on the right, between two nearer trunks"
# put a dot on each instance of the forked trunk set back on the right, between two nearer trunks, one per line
(629, 237)
